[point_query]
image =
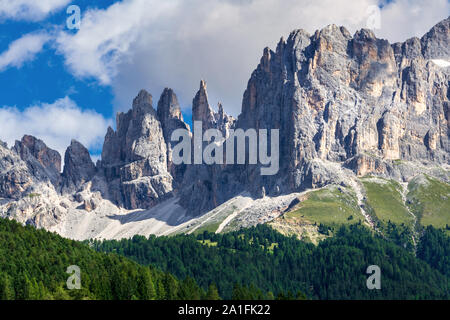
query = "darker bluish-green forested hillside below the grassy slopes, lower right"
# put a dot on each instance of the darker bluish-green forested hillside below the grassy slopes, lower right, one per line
(263, 258)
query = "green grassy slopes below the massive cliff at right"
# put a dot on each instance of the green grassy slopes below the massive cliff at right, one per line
(427, 198)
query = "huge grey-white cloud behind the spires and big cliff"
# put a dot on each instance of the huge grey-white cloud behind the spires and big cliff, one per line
(151, 44)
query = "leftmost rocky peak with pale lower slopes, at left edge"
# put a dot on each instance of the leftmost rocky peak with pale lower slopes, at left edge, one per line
(29, 177)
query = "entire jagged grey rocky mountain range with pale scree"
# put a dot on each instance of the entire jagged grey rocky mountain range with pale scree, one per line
(346, 106)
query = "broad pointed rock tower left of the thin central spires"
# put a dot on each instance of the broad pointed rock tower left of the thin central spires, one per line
(134, 158)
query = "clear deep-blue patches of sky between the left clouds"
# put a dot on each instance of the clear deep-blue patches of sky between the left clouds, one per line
(45, 78)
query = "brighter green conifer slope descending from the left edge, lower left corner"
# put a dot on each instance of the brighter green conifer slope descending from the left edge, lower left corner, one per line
(33, 265)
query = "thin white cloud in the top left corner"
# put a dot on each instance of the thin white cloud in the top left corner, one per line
(32, 10)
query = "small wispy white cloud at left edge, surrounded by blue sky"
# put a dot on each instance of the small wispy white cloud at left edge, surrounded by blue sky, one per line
(23, 50)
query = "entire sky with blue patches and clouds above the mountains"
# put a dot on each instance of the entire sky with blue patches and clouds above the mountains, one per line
(60, 84)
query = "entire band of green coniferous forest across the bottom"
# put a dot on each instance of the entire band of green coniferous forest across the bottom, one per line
(255, 263)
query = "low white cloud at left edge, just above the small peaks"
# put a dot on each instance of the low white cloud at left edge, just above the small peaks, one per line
(56, 124)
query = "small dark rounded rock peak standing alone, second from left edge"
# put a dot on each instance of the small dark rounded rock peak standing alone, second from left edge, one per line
(78, 167)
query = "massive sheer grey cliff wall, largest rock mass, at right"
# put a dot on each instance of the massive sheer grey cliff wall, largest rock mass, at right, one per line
(336, 97)
